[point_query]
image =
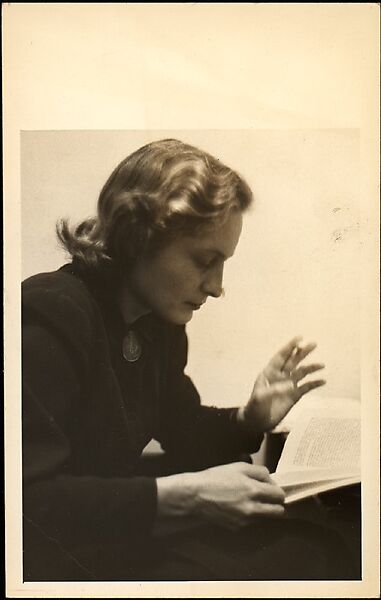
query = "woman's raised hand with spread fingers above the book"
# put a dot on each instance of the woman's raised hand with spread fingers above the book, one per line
(276, 389)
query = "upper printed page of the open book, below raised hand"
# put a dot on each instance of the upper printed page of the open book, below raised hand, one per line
(328, 442)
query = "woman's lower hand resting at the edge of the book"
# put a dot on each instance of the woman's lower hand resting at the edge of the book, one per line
(231, 496)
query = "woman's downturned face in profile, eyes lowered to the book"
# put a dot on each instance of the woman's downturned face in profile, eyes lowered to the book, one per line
(180, 277)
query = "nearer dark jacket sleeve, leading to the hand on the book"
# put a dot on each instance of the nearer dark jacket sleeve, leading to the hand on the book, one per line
(68, 509)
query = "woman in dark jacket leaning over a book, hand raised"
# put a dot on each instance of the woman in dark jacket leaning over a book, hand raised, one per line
(104, 352)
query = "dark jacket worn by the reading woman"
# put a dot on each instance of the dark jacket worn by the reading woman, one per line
(88, 414)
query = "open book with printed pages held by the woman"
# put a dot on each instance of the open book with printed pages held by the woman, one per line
(322, 449)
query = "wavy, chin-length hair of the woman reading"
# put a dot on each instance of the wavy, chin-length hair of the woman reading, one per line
(162, 190)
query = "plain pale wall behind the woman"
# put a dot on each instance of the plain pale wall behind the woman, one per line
(296, 268)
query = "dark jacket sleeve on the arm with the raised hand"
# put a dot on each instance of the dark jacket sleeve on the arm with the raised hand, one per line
(198, 436)
